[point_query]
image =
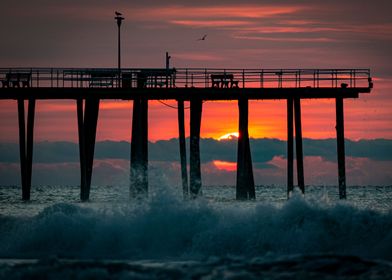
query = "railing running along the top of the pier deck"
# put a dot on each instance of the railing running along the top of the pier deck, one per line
(184, 78)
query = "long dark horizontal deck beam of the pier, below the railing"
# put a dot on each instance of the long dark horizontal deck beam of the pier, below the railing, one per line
(185, 94)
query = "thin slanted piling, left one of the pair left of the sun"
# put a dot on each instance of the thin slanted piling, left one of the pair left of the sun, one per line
(181, 139)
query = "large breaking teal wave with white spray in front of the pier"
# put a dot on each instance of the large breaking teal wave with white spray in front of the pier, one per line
(167, 228)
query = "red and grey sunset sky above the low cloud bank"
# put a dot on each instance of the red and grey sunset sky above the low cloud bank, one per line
(240, 34)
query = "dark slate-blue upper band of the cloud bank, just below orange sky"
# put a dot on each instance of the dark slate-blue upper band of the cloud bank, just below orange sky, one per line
(263, 150)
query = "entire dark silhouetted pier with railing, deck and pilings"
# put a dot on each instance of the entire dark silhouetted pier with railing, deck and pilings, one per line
(88, 86)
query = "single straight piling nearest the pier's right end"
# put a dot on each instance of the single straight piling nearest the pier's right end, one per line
(340, 147)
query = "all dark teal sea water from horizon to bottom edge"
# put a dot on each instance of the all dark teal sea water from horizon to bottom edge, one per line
(311, 236)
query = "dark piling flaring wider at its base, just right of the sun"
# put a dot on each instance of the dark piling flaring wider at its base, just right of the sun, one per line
(245, 188)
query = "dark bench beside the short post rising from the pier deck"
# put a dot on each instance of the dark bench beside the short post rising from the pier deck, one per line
(154, 78)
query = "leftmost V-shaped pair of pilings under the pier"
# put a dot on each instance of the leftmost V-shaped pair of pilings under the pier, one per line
(26, 145)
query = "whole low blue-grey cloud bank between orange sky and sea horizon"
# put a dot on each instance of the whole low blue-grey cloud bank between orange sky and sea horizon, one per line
(56, 163)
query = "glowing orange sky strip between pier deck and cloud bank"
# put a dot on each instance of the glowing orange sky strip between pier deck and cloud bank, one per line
(56, 120)
